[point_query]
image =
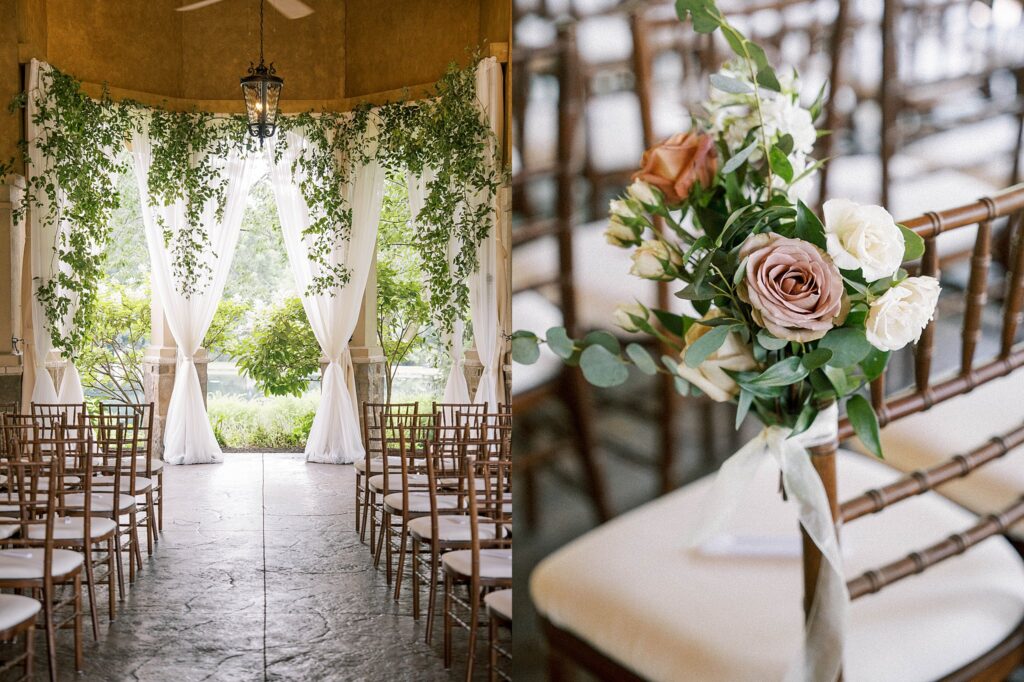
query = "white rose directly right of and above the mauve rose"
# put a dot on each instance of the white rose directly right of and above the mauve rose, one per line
(863, 238)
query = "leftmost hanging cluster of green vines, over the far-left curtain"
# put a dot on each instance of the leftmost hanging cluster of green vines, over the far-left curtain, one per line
(73, 192)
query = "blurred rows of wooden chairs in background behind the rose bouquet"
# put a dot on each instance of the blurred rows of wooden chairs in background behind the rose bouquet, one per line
(926, 109)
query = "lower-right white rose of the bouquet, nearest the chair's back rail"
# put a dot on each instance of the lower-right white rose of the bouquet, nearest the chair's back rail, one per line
(899, 317)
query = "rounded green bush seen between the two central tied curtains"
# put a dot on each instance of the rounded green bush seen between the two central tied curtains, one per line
(281, 355)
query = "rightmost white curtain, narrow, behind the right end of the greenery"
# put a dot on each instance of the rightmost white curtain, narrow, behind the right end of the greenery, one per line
(484, 283)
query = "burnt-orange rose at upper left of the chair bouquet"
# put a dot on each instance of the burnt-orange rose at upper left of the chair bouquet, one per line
(677, 163)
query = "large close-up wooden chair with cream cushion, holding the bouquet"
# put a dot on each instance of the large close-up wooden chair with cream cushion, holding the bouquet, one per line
(718, 605)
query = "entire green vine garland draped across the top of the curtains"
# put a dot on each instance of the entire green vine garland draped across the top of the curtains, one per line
(447, 134)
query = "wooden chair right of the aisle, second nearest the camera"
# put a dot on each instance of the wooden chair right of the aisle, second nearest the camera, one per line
(488, 565)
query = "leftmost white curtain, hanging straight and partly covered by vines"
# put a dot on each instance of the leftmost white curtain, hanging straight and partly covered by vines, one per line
(46, 231)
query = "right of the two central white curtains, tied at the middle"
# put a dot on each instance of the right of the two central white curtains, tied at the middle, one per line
(335, 437)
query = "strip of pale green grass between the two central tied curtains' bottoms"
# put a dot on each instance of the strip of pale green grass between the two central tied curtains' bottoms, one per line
(278, 423)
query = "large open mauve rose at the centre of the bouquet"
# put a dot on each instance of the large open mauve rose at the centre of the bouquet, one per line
(795, 289)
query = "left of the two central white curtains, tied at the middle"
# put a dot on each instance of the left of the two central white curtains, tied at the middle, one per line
(189, 438)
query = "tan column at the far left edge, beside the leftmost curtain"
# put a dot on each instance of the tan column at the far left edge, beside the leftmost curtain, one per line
(12, 260)
